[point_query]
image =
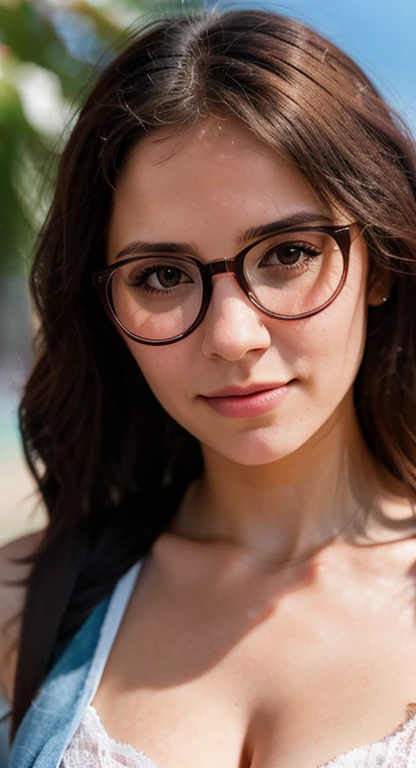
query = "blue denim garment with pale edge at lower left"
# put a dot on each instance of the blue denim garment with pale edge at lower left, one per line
(55, 714)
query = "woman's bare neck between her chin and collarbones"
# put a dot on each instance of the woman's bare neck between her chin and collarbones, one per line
(289, 508)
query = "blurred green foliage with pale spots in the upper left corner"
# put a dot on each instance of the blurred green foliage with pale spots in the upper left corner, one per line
(52, 49)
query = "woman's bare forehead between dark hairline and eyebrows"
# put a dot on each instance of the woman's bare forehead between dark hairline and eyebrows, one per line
(214, 180)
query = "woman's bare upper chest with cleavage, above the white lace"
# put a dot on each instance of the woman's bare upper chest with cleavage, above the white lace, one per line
(250, 675)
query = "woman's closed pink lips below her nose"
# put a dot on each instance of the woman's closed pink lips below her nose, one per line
(246, 402)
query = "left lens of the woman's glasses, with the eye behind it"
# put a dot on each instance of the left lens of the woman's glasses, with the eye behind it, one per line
(156, 297)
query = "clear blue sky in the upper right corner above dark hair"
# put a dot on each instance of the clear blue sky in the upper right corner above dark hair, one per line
(379, 34)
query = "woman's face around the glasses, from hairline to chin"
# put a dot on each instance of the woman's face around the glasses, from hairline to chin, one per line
(206, 188)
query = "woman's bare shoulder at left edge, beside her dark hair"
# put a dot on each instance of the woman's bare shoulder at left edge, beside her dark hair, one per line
(13, 574)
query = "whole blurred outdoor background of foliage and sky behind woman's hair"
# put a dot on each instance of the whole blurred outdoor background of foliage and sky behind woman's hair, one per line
(50, 51)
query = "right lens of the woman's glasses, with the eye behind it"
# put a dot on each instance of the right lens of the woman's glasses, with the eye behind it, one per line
(294, 272)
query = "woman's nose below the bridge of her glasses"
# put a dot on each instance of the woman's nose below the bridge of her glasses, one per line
(233, 326)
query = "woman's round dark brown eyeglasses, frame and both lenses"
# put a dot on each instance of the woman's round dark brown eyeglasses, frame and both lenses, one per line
(160, 298)
